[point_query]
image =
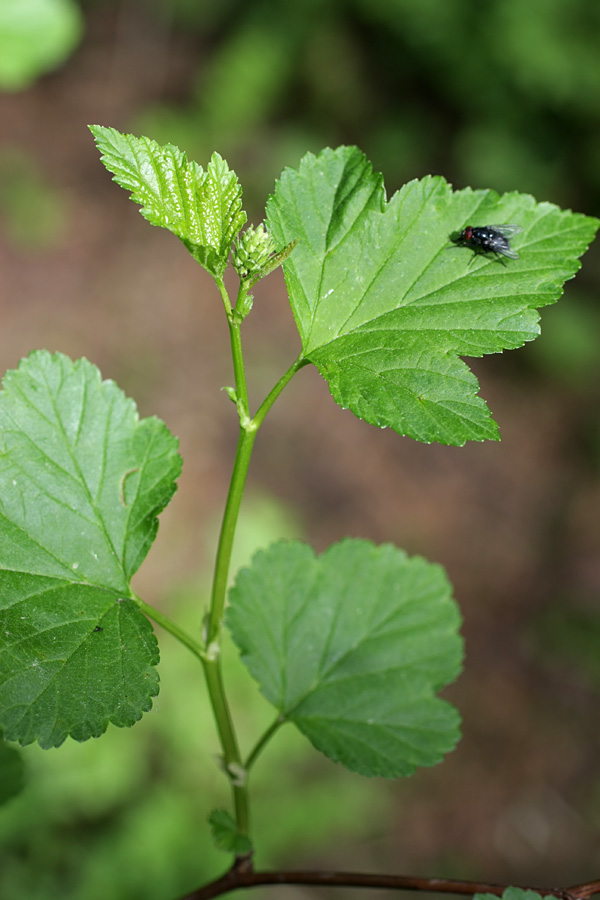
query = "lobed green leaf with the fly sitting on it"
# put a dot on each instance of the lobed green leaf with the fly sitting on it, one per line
(385, 304)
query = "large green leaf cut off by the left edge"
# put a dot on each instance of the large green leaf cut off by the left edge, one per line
(82, 481)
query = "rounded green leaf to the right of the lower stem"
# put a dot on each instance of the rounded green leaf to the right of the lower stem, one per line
(352, 646)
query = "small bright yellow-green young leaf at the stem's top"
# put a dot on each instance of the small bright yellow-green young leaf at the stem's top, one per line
(203, 208)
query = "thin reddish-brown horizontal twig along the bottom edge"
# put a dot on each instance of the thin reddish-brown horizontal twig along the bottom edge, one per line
(242, 875)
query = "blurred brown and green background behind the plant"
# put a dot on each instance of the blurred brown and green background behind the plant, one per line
(504, 94)
